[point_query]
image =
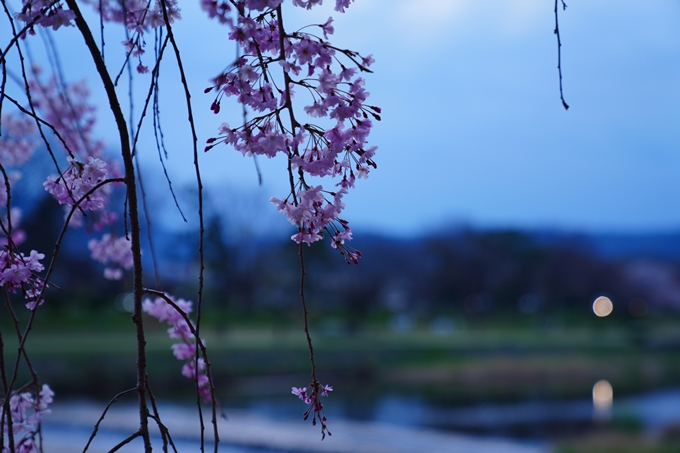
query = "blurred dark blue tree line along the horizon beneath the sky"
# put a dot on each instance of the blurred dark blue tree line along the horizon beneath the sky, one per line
(463, 272)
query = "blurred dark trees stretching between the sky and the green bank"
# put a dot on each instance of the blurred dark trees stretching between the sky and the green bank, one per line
(460, 277)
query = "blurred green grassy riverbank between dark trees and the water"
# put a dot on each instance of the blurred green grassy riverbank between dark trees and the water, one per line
(459, 367)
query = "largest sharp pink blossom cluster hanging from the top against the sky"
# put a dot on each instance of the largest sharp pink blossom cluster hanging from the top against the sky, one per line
(275, 64)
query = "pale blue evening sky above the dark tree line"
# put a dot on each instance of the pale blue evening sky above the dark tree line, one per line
(473, 130)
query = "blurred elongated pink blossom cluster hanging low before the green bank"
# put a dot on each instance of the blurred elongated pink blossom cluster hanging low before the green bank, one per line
(180, 329)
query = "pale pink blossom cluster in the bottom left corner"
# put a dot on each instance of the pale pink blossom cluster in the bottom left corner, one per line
(26, 413)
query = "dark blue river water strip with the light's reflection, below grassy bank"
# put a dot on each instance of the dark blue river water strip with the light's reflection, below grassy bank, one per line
(537, 419)
